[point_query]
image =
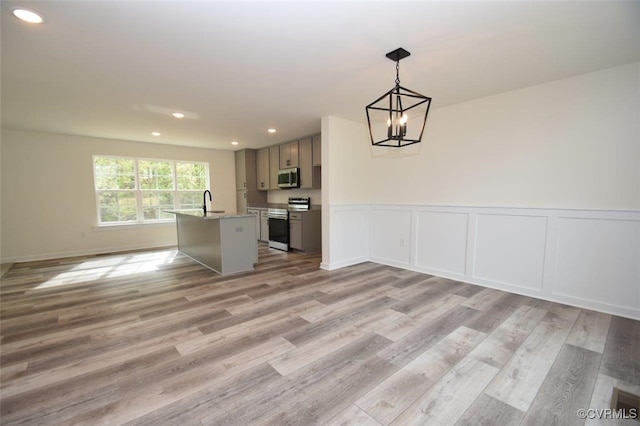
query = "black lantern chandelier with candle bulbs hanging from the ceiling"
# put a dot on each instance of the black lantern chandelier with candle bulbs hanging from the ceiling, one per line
(398, 117)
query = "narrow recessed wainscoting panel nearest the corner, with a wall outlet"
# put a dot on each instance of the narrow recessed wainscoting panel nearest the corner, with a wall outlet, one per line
(391, 236)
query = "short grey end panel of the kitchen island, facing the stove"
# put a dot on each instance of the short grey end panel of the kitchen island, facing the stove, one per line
(240, 247)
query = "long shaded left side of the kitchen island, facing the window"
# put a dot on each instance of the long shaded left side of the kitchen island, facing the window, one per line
(201, 240)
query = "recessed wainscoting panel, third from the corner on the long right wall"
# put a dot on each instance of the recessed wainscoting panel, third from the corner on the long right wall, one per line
(510, 249)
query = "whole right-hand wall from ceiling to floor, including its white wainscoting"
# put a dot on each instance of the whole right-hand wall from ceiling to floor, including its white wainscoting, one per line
(535, 191)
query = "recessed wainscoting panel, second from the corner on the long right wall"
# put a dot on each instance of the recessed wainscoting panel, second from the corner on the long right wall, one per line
(441, 241)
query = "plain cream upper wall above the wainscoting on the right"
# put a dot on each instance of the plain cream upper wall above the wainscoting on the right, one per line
(572, 143)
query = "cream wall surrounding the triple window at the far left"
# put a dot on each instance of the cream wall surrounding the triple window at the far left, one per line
(48, 200)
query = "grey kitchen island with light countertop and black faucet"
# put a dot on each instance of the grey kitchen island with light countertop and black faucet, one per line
(223, 242)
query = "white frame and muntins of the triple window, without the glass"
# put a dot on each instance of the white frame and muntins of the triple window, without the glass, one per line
(140, 220)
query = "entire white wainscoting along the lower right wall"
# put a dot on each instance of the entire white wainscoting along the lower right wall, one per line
(584, 258)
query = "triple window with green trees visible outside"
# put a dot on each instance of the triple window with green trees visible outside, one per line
(132, 190)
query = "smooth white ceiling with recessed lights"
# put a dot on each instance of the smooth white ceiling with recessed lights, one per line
(117, 69)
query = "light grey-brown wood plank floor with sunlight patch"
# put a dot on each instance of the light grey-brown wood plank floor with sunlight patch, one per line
(154, 338)
